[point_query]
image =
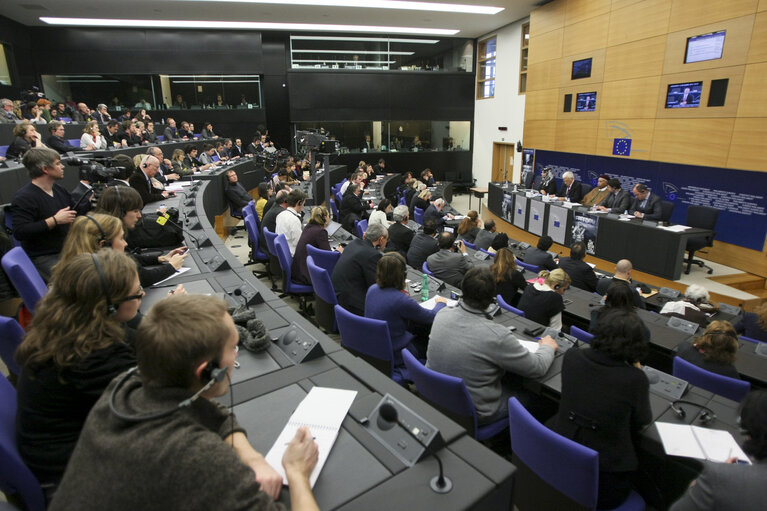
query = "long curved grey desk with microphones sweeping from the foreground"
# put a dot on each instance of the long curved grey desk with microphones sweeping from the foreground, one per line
(360, 472)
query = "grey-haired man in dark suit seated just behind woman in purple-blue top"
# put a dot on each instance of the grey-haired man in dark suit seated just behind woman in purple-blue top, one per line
(356, 269)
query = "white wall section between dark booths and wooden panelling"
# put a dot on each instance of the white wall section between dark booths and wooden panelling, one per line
(507, 108)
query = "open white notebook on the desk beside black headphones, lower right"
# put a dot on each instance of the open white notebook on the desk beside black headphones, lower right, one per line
(700, 443)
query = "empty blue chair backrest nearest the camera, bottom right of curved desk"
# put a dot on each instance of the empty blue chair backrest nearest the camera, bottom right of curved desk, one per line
(570, 467)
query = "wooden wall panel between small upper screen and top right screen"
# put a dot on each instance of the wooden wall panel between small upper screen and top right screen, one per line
(635, 60)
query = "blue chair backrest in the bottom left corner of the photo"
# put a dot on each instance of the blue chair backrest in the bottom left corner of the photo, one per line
(15, 476)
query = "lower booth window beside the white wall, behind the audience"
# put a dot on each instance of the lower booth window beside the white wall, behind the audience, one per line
(394, 136)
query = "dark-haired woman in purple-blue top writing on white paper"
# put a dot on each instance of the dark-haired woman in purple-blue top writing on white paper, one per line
(388, 300)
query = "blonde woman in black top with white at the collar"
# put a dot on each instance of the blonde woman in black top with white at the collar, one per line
(543, 303)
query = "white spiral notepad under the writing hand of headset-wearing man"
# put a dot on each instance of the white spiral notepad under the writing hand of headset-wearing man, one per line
(322, 411)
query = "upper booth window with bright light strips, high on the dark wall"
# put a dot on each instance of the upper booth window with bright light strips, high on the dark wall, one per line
(381, 53)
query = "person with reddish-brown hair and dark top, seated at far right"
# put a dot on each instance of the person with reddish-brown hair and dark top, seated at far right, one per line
(715, 350)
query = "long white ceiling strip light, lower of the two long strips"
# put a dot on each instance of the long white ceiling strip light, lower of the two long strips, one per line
(242, 25)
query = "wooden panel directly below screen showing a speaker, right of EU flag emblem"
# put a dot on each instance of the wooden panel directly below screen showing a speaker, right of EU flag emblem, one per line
(692, 141)
